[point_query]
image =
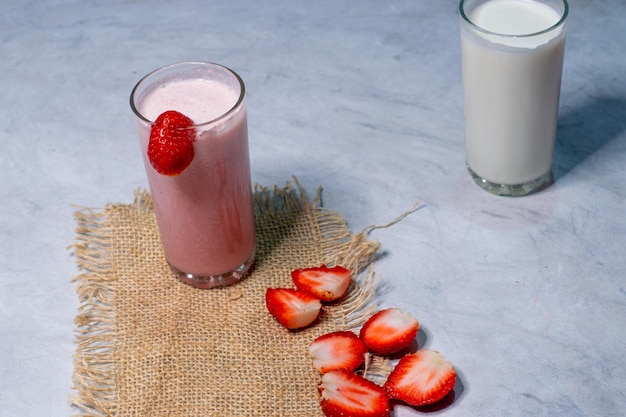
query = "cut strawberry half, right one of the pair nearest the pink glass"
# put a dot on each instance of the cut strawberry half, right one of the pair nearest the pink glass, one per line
(328, 284)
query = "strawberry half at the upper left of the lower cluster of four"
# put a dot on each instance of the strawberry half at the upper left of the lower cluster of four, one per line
(337, 350)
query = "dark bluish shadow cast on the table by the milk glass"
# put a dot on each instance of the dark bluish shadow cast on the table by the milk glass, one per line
(585, 130)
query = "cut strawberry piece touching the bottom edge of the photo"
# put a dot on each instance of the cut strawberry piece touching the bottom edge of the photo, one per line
(345, 394)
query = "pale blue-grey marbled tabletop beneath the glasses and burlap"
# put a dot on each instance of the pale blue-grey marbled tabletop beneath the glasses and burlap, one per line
(527, 297)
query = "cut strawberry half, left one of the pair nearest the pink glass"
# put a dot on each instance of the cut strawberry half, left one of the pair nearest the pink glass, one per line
(293, 309)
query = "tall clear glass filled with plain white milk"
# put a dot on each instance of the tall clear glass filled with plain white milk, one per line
(512, 55)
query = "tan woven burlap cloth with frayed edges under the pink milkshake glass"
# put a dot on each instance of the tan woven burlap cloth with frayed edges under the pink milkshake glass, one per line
(150, 345)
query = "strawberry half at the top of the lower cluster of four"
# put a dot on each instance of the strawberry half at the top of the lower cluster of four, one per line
(389, 331)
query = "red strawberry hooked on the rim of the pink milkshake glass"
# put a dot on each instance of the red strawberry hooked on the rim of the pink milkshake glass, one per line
(170, 148)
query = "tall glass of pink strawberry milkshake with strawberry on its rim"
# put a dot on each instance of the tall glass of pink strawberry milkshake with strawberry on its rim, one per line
(205, 212)
